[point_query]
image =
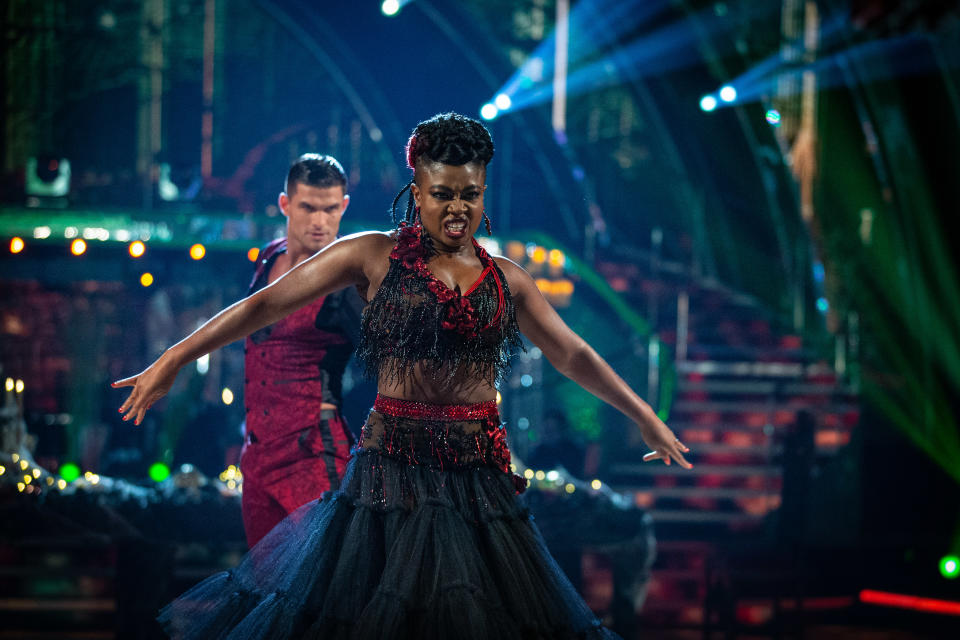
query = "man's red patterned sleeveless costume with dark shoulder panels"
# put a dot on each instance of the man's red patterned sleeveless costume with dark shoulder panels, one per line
(293, 452)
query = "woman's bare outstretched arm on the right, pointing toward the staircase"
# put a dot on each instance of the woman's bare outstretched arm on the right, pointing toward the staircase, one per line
(577, 360)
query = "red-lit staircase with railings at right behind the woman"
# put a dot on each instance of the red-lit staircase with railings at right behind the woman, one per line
(742, 388)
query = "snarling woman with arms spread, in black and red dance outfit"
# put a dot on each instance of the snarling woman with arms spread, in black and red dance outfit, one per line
(425, 538)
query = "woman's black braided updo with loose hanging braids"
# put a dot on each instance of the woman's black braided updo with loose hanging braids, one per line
(447, 138)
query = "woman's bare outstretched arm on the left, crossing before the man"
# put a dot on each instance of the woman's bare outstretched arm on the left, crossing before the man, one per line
(343, 263)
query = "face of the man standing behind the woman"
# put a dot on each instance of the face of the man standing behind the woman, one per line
(313, 216)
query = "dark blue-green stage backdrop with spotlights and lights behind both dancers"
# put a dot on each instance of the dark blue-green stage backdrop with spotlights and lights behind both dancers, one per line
(748, 208)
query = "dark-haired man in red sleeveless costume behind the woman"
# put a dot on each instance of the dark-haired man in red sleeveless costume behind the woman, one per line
(296, 444)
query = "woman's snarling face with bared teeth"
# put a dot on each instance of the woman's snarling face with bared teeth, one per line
(450, 198)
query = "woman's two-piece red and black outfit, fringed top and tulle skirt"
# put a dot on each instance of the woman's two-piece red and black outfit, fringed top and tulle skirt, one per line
(426, 537)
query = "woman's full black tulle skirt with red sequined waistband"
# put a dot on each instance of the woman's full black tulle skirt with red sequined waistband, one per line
(425, 539)
